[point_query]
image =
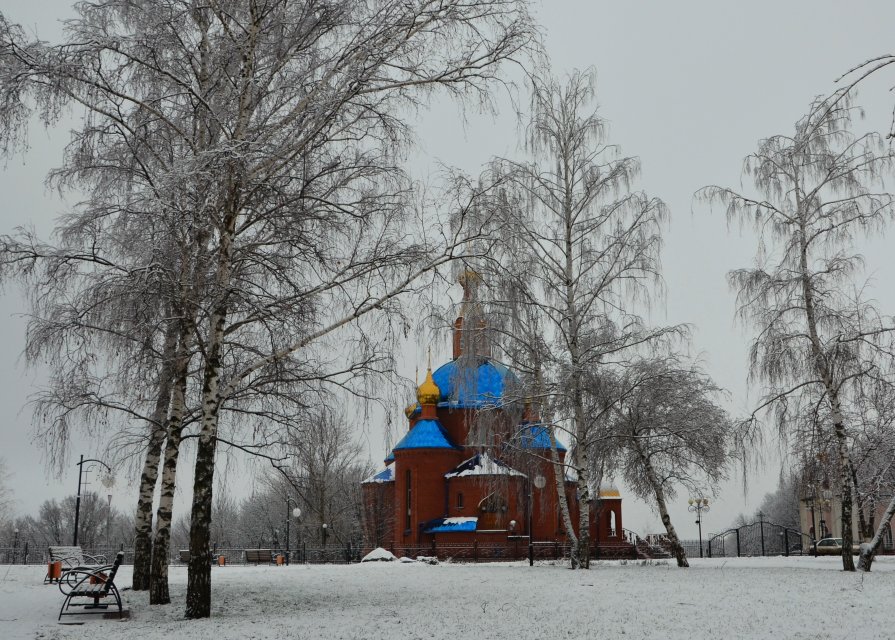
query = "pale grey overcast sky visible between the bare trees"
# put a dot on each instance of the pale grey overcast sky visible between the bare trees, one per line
(689, 87)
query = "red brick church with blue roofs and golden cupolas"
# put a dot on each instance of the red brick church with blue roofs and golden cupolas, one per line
(474, 475)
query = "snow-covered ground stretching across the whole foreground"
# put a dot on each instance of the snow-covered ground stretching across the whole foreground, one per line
(719, 598)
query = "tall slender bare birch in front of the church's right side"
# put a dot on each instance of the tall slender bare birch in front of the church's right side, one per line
(581, 247)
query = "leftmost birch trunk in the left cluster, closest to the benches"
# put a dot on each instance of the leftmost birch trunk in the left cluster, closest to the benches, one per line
(149, 477)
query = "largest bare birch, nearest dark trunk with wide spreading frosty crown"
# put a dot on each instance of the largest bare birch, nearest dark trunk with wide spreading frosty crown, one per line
(281, 119)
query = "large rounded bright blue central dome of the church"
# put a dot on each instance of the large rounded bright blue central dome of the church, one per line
(483, 385)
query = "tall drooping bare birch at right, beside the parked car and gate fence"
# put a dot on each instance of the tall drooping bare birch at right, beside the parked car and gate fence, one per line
(817, 190)
